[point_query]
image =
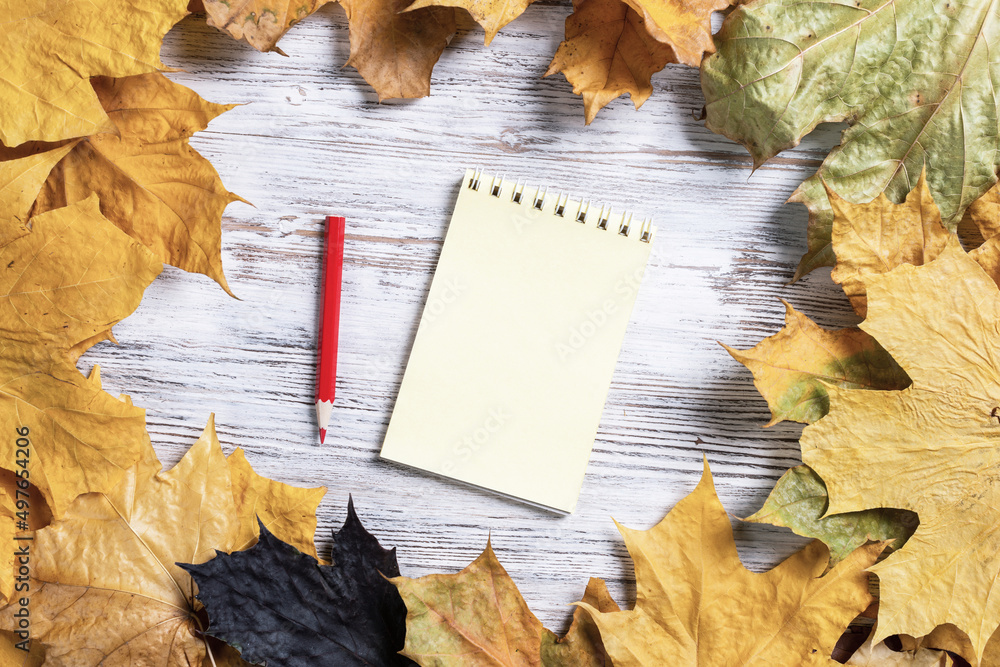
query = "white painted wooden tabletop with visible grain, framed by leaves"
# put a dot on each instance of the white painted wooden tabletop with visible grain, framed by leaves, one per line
(312, 140)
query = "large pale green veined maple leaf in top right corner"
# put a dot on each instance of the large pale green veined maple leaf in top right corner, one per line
(915, 79)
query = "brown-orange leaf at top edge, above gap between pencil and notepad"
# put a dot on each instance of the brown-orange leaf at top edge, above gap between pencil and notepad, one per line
(395, 50)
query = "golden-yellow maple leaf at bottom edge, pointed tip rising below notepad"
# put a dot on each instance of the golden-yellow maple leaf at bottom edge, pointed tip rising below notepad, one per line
(697, 605)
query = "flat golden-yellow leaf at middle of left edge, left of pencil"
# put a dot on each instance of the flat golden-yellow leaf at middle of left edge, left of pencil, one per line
(68, 281)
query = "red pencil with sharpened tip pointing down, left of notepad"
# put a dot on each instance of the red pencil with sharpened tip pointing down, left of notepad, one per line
(329, 323)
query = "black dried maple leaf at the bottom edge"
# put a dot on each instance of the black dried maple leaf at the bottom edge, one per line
(280, 607)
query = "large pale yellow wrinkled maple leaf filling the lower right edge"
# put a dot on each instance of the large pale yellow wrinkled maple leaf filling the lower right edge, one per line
(929, 448)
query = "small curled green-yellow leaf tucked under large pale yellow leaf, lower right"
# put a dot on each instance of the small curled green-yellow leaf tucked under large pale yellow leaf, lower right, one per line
(799, 502)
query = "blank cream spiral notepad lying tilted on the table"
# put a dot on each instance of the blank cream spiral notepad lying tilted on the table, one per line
(518, 340)
